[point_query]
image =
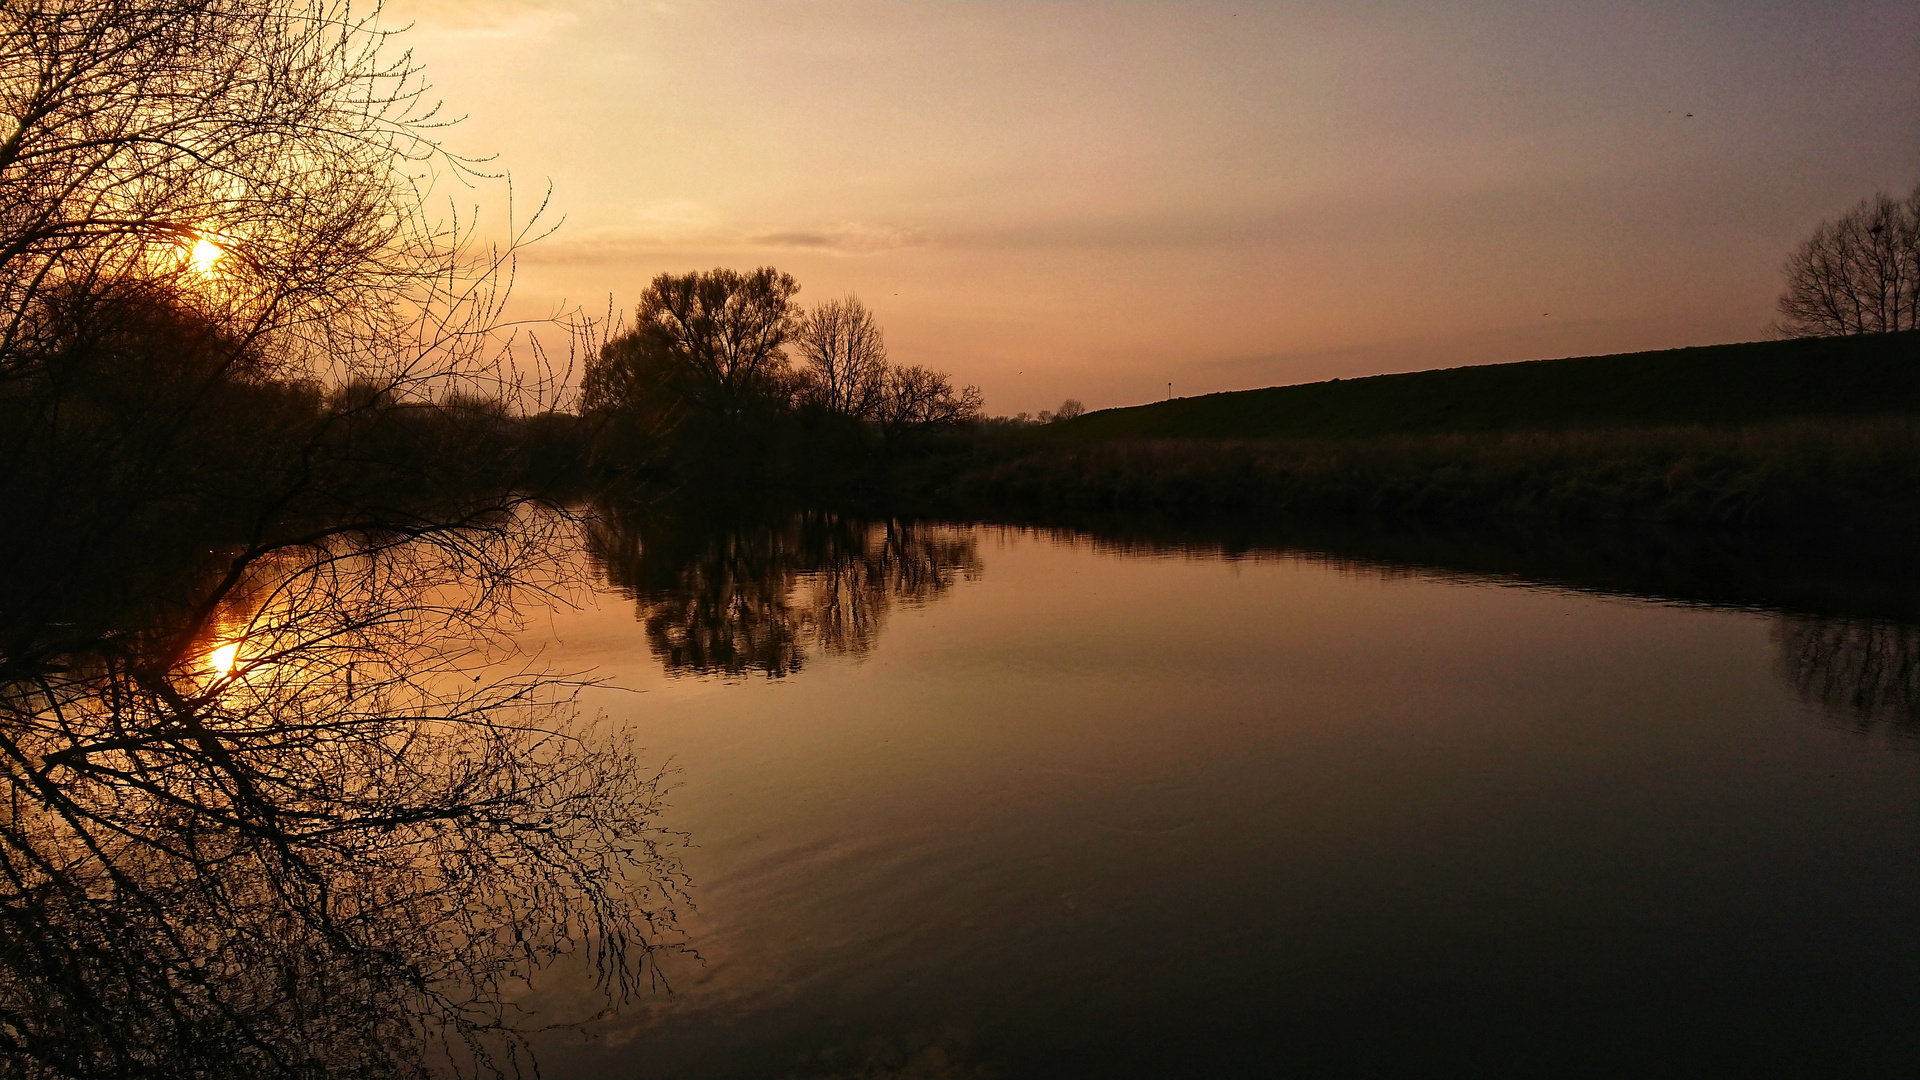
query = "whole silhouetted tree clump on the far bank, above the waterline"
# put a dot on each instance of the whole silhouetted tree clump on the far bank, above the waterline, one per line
(725, 387)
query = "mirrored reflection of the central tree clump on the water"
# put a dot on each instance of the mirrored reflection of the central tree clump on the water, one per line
(740, 599)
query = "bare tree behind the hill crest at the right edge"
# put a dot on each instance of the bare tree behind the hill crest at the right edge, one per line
(1860, 274)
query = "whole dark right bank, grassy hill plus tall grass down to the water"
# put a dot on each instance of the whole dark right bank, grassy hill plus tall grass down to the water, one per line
(1765, 433)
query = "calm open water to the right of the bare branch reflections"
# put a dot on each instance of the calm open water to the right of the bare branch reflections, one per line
(1017, 804)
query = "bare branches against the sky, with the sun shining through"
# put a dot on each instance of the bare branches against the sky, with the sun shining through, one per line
(264, 164)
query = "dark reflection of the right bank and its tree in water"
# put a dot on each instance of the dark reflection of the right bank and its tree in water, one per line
(1848, 608)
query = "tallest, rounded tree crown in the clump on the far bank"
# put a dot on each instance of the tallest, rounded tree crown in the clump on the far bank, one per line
(715, 341)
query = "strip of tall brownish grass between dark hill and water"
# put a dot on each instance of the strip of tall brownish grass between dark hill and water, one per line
(1812, 472)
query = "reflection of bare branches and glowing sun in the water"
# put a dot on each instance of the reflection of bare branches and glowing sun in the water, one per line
(341, 856)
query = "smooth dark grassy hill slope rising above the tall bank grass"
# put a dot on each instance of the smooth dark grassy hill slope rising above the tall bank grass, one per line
(1712, 385)
